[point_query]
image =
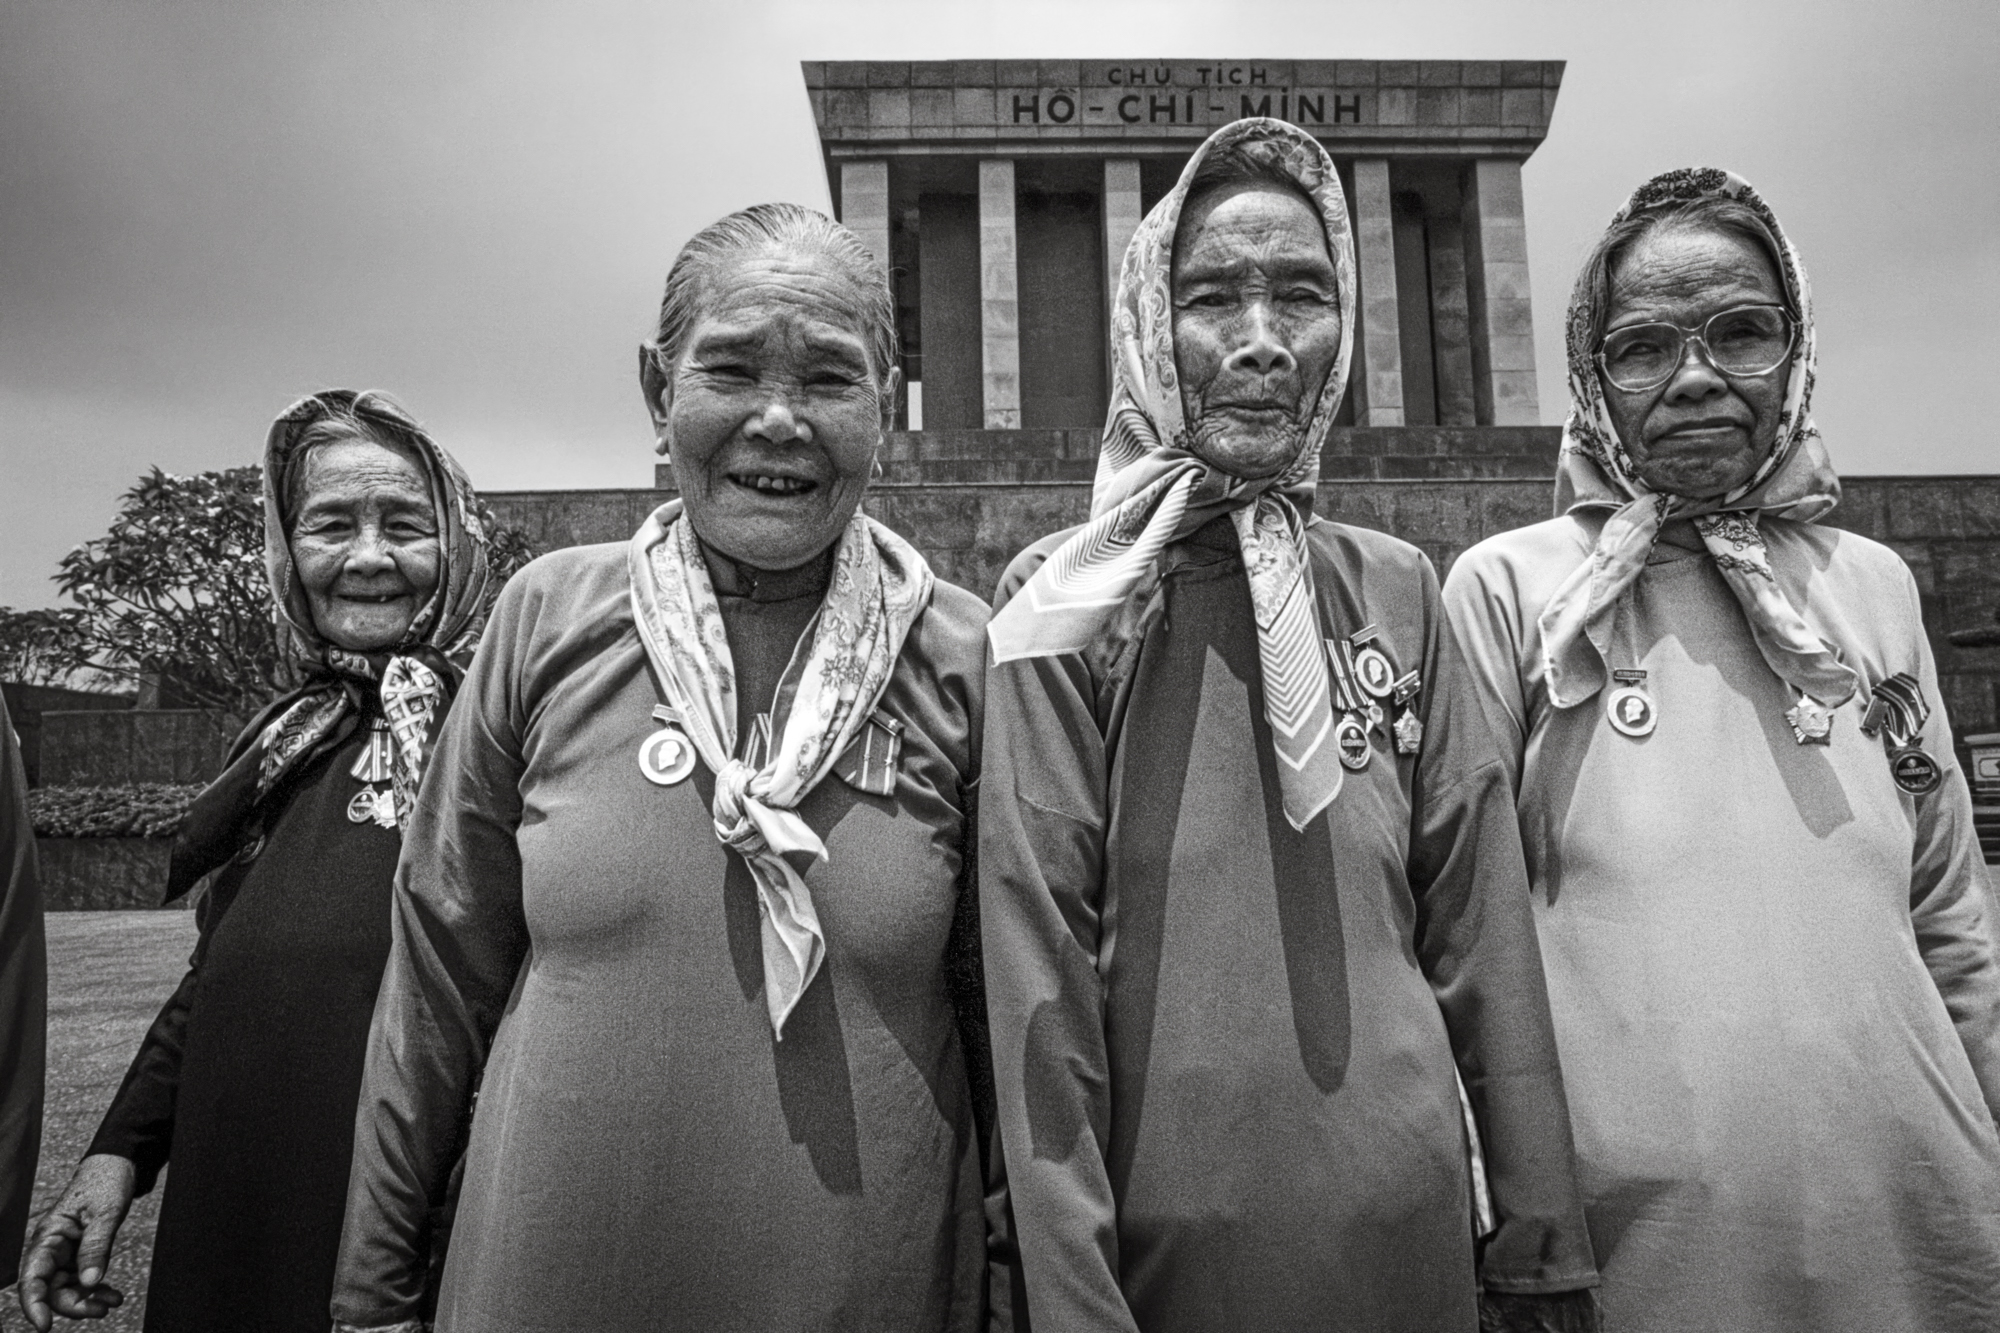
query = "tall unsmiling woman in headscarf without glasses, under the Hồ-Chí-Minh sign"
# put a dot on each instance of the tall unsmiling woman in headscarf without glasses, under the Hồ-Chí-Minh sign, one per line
(1251, 888)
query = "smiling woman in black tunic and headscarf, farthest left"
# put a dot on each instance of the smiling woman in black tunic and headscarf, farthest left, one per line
(249, 1078)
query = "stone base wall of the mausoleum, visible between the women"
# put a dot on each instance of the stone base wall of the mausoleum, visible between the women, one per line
(973, 499)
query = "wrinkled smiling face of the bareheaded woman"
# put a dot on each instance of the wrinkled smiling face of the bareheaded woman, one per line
(775, 409)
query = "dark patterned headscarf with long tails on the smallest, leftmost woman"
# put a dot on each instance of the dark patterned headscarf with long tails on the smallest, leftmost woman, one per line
(413, 682)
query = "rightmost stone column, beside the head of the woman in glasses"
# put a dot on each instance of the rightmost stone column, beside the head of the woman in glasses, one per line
(1497, 297)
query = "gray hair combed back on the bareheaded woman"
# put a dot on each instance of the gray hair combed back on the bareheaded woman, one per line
(787, 229)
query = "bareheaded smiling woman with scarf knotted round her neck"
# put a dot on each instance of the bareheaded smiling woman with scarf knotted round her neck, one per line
(679, 898)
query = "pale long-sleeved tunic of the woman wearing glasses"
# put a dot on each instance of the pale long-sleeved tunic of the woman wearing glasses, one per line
(1773, 974)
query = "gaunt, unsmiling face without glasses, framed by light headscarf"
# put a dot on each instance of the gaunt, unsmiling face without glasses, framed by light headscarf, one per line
(1257, 325)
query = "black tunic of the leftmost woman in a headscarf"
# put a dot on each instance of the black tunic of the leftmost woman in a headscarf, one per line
(249, 1078)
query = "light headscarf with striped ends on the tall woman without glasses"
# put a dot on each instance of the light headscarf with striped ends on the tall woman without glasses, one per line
(1153, 489)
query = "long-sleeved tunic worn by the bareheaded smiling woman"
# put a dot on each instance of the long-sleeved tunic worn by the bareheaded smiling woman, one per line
(577, 948)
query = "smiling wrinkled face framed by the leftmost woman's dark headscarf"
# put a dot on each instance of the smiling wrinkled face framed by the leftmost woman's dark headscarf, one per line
(365, 543)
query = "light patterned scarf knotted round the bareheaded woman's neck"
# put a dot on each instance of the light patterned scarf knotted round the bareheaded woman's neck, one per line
(837, 678)
